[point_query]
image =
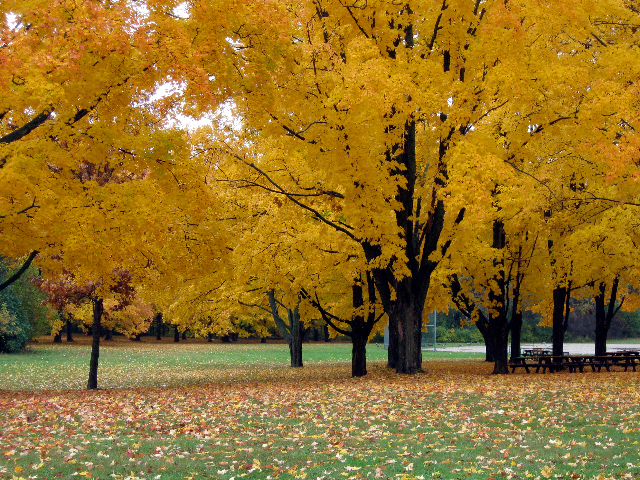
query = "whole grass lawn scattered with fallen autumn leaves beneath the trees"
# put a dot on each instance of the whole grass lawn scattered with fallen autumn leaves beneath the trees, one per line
(237, 411)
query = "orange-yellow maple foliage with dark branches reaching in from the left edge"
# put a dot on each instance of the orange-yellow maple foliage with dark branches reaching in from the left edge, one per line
(80, 111)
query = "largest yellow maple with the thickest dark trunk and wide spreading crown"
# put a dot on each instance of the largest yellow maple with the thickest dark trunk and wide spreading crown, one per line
(369, 115)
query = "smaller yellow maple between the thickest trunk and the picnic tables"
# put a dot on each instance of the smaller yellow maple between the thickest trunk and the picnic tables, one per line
(489, 275)
